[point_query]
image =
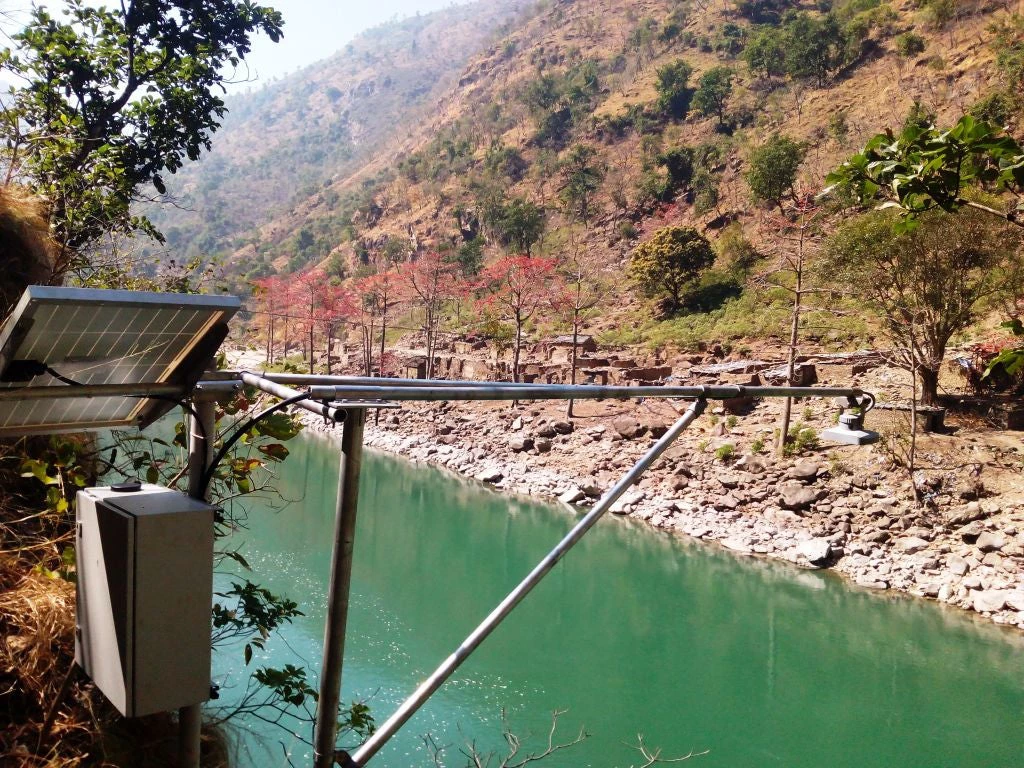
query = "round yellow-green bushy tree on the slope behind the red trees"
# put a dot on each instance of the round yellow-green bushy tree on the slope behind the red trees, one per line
(668, 264)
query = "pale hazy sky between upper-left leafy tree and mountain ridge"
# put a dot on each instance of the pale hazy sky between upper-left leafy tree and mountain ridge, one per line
(316, 29)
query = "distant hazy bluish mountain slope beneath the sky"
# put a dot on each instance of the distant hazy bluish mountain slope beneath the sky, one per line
(283, 142)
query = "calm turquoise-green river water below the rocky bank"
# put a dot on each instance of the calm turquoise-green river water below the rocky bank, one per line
(635, 632)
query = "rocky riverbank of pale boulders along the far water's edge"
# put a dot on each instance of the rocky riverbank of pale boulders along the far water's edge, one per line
(837, 507)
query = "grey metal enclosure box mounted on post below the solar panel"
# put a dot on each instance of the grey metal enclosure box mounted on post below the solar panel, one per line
(145, 593)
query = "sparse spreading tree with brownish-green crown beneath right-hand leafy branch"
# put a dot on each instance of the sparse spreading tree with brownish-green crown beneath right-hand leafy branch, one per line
(927, 284)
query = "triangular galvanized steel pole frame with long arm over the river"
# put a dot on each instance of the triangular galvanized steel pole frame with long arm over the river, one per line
(347, 400)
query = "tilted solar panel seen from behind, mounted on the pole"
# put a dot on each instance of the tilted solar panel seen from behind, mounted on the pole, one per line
(104, 337)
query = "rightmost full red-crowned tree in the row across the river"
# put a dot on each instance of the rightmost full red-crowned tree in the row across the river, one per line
(517, 287)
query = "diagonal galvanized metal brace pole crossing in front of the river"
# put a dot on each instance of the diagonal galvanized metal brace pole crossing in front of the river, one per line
(478, 636)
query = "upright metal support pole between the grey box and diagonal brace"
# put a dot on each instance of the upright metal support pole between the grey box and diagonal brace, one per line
(342, 578)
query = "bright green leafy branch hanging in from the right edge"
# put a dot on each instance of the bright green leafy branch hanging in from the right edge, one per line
(926, 168)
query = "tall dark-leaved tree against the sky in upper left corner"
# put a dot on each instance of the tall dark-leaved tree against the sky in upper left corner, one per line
(114, 99)
